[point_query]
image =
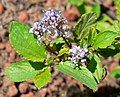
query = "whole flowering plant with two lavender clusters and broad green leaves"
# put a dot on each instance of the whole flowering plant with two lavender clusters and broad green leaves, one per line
(51, 42)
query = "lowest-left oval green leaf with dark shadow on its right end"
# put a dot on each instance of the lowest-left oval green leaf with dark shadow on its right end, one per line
(23, 70)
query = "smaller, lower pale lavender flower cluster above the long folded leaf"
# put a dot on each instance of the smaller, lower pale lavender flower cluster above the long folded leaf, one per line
(78, 54)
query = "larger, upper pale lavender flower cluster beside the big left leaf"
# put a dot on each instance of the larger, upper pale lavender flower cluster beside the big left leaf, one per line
(52, 22)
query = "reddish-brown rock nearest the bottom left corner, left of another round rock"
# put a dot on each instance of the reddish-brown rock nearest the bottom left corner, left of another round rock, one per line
(12, 91)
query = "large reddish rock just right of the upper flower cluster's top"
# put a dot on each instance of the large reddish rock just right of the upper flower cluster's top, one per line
(71, 14)
